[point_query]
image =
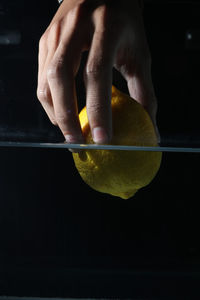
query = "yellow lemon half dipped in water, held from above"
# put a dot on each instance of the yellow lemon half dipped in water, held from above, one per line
(120, 173)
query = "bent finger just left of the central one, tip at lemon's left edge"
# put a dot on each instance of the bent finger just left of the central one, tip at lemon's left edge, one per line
(61, 82)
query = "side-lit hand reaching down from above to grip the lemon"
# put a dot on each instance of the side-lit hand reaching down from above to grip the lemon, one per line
(113, 34)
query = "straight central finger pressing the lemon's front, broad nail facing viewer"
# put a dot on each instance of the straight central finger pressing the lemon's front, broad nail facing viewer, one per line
(98, 81)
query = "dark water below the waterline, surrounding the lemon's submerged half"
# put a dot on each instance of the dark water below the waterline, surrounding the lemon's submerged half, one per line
(54, 226)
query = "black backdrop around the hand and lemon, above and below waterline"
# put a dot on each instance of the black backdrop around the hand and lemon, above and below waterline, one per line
(59, 237)
